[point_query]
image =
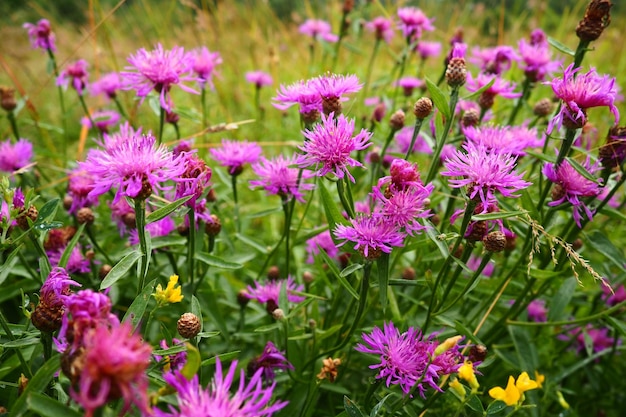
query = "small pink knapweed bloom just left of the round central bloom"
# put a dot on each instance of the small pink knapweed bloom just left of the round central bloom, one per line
(277, 176)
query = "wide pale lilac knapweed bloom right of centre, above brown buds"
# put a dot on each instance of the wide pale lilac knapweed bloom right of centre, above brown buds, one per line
(484, 173)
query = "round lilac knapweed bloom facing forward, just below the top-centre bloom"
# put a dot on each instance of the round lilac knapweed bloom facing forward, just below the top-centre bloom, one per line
(329, 146)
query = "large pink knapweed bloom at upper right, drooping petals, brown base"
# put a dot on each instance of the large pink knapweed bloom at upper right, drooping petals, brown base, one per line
(580, 92)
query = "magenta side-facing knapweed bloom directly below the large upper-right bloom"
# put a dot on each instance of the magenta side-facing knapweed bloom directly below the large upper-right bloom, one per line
(573, 187)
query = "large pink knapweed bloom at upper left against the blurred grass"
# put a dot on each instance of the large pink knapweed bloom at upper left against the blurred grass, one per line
(159, 70)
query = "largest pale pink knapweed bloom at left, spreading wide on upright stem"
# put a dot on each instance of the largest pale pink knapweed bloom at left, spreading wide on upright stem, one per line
(133, 164)
